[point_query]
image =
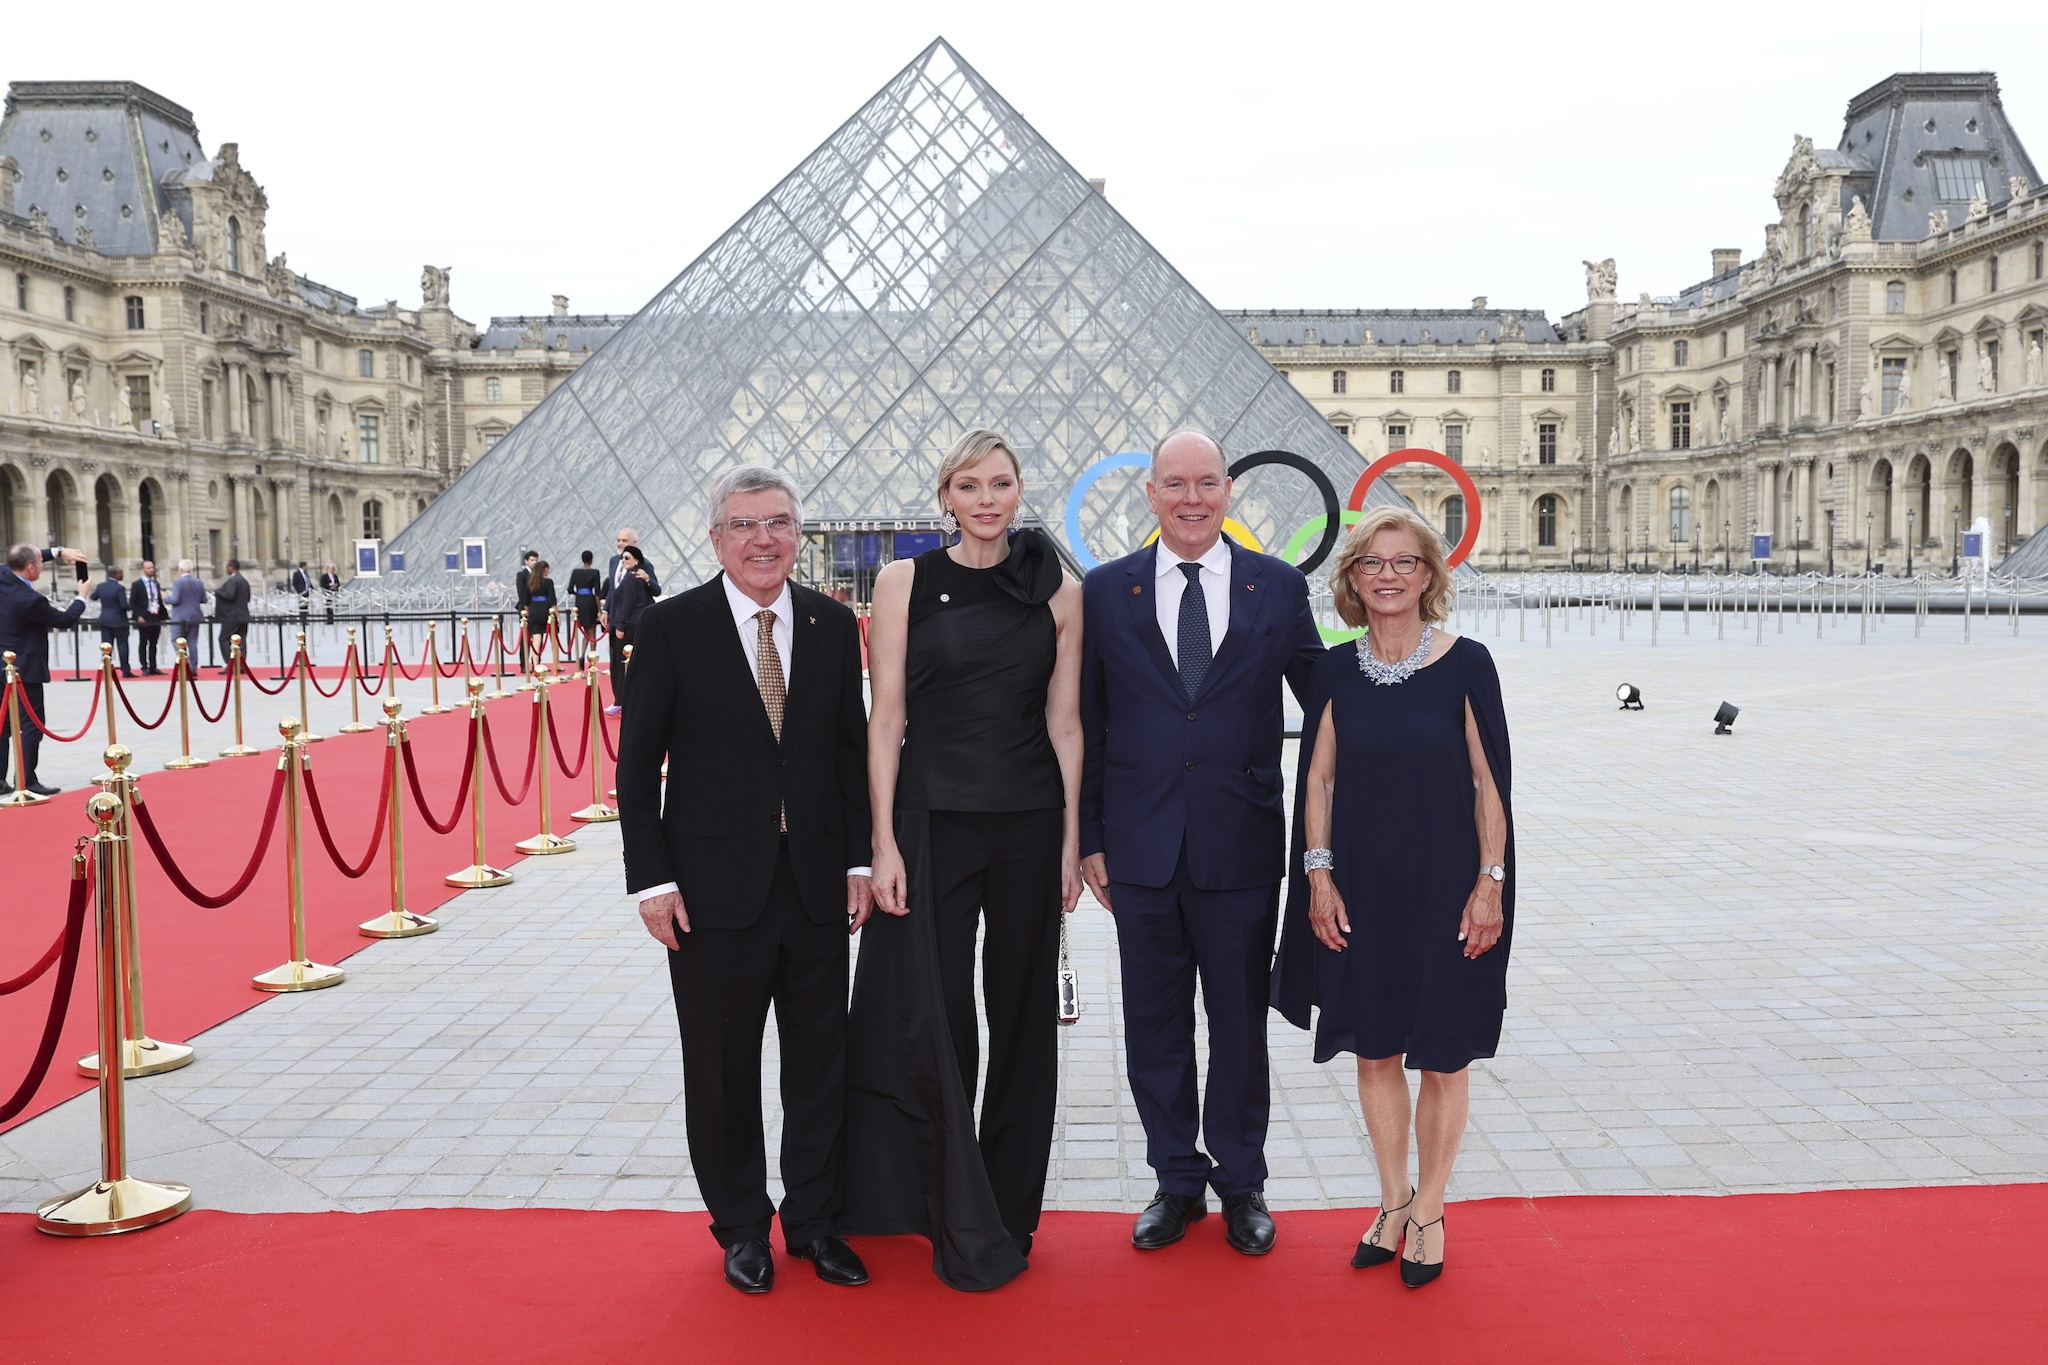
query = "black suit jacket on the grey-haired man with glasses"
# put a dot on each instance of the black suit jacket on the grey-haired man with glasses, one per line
(695, 703)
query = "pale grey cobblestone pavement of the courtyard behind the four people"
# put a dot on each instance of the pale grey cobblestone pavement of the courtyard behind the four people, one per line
(1809, 955)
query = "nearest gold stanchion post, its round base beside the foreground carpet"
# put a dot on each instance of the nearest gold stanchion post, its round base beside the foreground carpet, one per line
(118, 1202)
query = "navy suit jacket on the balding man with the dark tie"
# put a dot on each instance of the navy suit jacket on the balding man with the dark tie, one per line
(1162, 773)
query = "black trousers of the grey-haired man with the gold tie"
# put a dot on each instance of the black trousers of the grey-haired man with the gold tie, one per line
(726, 981)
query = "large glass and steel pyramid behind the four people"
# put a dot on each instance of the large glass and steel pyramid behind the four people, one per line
(931, 269)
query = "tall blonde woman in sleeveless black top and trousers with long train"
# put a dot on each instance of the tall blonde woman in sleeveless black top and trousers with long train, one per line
(974, 770)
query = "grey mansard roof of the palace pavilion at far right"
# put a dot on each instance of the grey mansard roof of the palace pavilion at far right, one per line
(1926, 140)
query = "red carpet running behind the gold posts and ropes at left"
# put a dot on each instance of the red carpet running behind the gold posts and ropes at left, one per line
(198, 963)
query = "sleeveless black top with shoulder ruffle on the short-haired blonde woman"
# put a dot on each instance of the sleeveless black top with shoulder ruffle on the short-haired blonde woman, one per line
(978, 664)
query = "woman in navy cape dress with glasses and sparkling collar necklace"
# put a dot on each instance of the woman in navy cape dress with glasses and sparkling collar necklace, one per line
(1402, 899)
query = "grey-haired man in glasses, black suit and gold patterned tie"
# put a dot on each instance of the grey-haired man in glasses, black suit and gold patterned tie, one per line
(755, 867)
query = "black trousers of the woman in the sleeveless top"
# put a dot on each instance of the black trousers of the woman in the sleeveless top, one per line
(1000, 873)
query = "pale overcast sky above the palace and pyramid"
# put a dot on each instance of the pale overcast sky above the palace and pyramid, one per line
(1281, 157)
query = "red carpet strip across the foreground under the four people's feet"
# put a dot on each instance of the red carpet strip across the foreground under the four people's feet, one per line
(1846, 1276)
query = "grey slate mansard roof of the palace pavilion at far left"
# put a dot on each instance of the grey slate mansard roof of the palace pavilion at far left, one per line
(79, 146)
